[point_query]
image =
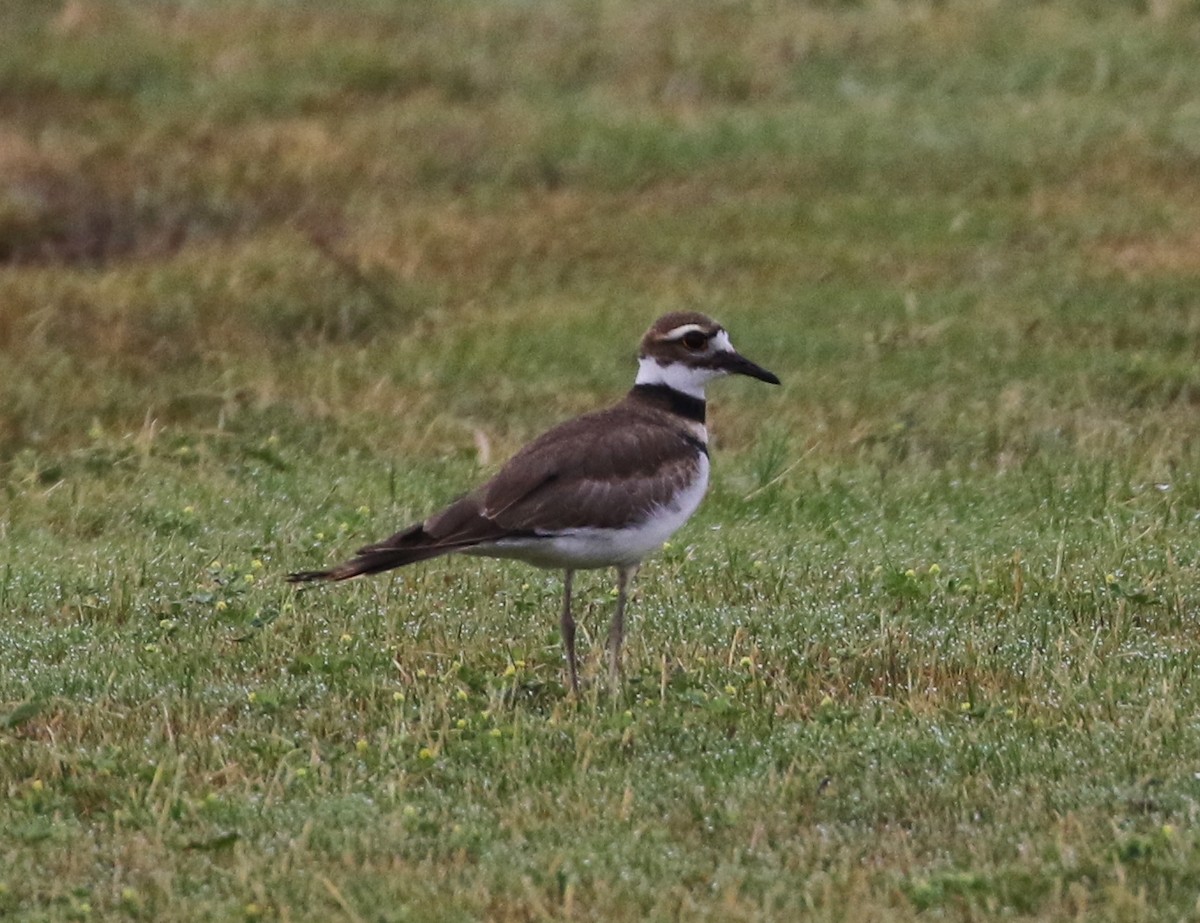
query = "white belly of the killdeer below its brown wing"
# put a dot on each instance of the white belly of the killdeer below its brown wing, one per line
(583, 549)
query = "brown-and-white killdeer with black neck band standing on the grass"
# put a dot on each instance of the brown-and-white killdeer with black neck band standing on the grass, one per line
(603, 490)
